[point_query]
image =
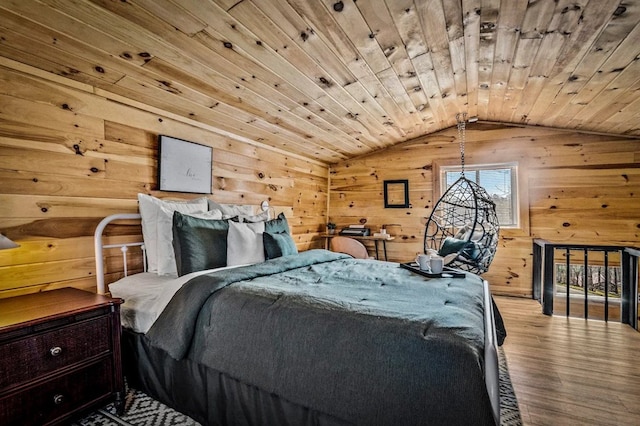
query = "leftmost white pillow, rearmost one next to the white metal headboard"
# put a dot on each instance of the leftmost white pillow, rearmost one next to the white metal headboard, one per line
(149, 210)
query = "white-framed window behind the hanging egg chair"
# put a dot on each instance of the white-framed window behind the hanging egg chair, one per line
(500, 182)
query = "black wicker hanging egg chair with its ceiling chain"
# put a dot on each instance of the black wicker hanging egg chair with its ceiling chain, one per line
(463, 227)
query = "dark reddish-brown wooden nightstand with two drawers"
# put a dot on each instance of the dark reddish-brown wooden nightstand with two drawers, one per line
(59, 356)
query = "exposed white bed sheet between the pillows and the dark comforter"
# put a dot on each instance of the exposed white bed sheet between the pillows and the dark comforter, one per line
(146, 295)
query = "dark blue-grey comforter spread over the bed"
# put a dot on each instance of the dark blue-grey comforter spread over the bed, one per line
(362, 341)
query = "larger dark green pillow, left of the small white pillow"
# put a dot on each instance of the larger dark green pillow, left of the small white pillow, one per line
(199, 244)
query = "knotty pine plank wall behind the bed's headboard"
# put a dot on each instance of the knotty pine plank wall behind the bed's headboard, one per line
(71, 154)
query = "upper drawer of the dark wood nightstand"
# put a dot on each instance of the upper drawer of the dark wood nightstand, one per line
(27, 359)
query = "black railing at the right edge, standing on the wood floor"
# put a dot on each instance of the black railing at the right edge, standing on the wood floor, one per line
(544, 270)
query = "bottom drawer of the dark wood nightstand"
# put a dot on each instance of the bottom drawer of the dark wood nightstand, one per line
(55, 399)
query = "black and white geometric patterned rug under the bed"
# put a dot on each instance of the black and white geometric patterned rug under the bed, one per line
(141, 410)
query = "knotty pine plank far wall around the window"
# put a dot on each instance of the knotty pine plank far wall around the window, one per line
(576, 187)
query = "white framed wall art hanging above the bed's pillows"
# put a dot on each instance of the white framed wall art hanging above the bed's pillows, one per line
(184, 166)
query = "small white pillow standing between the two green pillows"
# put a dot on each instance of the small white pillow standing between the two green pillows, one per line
(244, 243)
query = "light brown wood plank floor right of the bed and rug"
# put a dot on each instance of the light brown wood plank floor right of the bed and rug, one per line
(568, 371)
